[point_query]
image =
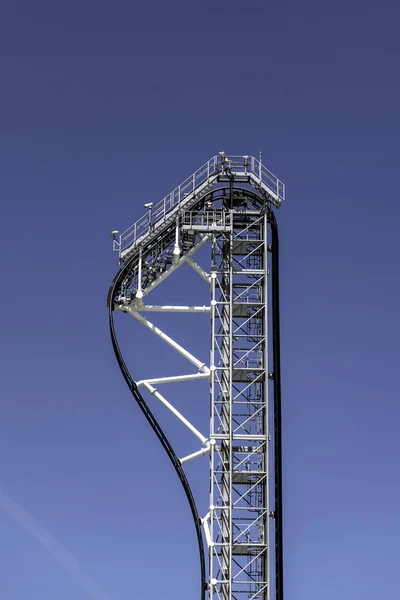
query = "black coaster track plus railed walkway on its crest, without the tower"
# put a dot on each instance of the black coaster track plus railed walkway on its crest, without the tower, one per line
(160, 234)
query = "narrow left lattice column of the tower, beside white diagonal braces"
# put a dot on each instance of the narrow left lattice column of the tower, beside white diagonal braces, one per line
(221, 419)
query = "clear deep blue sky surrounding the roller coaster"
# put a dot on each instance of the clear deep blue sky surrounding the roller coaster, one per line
(107, 105)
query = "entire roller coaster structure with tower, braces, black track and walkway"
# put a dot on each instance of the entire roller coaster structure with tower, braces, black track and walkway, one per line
(226, 204)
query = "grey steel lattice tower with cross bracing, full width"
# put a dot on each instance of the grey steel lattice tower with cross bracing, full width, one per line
(239, 497)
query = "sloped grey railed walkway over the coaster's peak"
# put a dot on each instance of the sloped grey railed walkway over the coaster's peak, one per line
(246, 166)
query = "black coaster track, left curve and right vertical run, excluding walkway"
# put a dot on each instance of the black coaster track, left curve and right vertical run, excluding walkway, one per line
(278, 512)
